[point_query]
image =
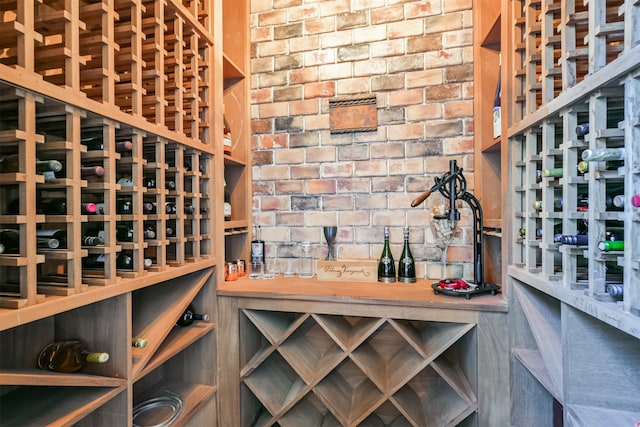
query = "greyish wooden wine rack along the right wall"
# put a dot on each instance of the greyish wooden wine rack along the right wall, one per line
(568, 64)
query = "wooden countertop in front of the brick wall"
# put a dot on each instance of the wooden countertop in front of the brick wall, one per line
(418, 294)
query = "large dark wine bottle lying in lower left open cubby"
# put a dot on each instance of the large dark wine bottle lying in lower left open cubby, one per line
(68, 356)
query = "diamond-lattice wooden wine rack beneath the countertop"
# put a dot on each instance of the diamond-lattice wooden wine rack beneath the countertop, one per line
(352, 370)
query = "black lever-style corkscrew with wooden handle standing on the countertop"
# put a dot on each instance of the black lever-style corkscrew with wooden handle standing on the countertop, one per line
(453, 186)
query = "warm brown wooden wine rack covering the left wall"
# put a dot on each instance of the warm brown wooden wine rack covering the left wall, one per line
(155, 74)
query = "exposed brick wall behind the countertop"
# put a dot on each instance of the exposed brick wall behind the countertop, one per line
(416, 57)
